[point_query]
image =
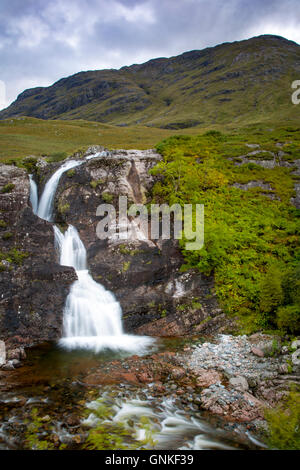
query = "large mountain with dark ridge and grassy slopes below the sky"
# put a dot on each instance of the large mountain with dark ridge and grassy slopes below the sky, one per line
(240, 82)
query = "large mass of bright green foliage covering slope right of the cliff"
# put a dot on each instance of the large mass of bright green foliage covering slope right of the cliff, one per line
(251, 242)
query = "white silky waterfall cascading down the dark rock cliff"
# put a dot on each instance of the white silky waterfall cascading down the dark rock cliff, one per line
(92, 315)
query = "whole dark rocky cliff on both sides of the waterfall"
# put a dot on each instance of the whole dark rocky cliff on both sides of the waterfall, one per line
(144, 274)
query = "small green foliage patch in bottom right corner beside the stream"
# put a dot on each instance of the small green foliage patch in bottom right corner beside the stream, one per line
(283, 422)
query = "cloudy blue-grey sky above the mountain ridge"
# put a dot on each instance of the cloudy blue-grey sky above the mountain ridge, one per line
(42, 41)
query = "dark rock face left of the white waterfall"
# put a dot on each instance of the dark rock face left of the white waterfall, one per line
(33, 285)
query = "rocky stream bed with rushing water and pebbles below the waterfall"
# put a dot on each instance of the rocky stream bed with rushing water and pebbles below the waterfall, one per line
(197, 393)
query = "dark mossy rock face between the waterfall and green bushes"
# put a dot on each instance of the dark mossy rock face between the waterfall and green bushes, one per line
(156, 298)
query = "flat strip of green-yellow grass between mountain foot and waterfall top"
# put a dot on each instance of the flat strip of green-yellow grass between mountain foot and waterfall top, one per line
(23, 137)
